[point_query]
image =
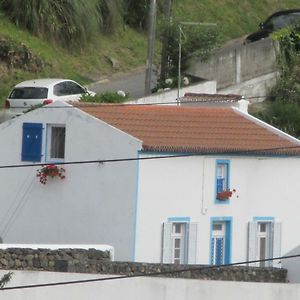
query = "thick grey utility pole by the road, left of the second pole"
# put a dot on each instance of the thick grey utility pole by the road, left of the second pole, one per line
(151, 39)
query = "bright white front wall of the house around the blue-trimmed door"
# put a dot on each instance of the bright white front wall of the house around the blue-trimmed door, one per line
(185, 187)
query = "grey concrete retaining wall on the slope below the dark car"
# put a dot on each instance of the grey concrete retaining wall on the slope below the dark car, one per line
(238, 63)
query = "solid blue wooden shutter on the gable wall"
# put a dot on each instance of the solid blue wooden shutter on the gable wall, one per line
(32, 142)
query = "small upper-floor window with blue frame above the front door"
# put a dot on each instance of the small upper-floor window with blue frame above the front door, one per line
(222, 182)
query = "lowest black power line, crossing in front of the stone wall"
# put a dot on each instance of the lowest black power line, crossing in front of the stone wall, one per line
(148, 274)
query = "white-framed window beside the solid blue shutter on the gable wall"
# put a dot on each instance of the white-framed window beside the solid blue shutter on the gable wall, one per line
(56, 142)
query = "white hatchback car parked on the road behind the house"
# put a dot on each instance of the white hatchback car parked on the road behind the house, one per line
(42, 91)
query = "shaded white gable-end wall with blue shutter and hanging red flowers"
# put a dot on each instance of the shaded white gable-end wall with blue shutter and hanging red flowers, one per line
(95, 203)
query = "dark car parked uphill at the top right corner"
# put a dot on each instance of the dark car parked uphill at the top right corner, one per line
(275, 22)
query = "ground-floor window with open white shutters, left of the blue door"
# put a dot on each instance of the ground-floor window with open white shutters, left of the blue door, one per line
(179, 243)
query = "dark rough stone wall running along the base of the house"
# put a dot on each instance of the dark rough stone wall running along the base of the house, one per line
(98, 262)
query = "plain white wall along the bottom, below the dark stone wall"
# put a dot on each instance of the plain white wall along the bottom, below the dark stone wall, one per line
(145, 288)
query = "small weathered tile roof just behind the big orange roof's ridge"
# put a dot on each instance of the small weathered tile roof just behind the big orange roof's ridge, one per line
(195, 97)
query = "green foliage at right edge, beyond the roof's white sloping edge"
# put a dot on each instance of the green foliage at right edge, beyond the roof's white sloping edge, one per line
(283, 102)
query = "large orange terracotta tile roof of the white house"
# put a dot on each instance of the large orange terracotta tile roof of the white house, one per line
(186, 129)
